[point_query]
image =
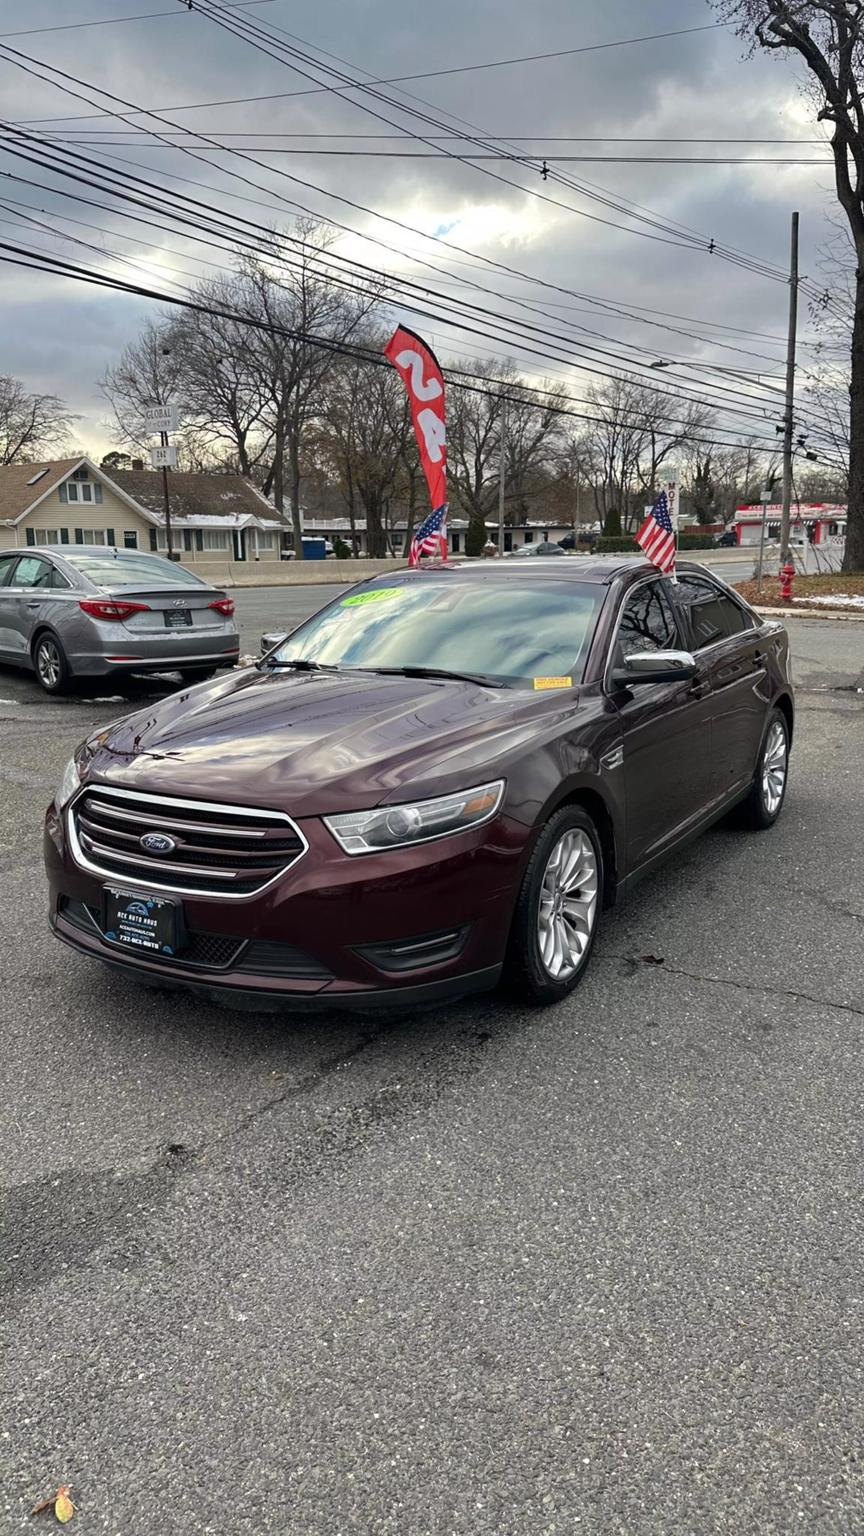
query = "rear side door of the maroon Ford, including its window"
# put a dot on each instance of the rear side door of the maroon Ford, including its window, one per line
(729, 644)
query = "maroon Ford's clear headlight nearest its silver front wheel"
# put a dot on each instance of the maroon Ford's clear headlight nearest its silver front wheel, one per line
(402, 826)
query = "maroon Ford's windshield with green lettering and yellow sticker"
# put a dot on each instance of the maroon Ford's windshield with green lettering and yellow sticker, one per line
(522, 632)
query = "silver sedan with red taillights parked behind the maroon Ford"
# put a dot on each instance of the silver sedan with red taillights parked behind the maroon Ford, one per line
(90, 611)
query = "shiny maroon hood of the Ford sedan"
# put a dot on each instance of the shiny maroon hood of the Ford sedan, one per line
(321, 743)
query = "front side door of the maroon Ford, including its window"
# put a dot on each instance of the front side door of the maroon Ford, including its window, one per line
(666, 730)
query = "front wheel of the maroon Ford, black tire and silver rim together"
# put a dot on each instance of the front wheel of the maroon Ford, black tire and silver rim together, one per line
(557, 910)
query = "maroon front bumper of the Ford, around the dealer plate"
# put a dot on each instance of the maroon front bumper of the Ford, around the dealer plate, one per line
(322, 936)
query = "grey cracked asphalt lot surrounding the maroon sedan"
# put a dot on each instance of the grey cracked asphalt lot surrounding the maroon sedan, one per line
(474, 1271)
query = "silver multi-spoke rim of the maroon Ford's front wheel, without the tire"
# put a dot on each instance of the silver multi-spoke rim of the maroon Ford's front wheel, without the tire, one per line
(568, 905)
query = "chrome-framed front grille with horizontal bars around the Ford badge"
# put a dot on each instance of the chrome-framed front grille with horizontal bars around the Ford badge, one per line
(219, 850)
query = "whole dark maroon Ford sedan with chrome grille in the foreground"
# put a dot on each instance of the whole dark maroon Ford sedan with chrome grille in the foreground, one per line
(437, 781)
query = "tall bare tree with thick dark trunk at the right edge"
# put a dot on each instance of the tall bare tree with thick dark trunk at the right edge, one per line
(829, 38)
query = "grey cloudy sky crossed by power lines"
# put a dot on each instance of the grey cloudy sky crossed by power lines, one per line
(694, 91)
